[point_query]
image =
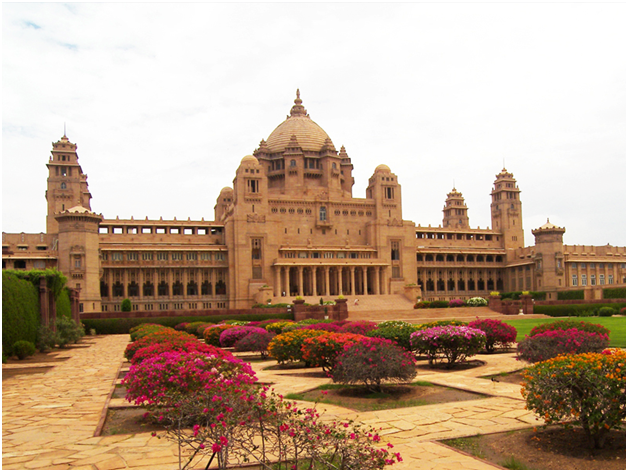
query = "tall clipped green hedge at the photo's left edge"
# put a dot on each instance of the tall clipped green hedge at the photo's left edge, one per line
(20, 311)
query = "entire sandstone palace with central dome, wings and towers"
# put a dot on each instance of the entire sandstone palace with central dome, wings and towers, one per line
(290, 226)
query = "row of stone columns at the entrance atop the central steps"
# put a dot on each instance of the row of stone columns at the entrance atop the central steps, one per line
(330, 280)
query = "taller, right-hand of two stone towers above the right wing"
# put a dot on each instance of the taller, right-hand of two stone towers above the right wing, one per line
(506, 214)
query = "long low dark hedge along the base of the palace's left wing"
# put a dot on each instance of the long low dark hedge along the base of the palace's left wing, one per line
(123, 325)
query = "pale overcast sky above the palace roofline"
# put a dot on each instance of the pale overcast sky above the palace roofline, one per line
(164, 100)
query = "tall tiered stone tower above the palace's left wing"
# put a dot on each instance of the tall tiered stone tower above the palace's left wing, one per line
(67, 185)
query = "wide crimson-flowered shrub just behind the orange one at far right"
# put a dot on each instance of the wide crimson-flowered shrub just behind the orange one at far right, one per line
(549, 344)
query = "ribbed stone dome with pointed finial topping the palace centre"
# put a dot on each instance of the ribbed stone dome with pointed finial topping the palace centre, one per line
(310, 136)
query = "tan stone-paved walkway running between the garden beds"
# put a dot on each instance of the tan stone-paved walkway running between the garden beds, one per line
(49, 419)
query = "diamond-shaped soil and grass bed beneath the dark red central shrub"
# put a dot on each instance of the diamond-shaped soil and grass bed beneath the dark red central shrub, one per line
(359, 398)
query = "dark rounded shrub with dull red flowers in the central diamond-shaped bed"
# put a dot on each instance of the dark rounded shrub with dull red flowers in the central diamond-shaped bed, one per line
(370, 361)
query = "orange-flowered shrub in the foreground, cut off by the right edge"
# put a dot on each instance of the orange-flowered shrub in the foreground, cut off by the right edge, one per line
(589, 388)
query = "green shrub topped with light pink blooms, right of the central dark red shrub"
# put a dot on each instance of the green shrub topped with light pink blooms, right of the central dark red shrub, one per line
(452, 344)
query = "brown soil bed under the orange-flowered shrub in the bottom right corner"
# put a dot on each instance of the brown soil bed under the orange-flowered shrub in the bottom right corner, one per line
(553, 448)
